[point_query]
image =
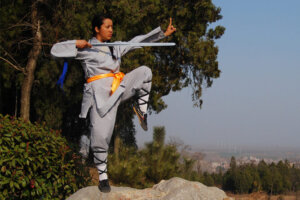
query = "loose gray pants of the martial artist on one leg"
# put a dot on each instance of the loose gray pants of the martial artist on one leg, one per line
(102, 127)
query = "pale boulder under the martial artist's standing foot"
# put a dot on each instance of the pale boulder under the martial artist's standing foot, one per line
(175, 188)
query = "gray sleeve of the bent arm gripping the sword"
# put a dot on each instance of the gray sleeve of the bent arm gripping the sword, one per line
(65, 49)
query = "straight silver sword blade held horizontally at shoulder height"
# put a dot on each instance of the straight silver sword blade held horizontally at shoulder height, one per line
(142, 44)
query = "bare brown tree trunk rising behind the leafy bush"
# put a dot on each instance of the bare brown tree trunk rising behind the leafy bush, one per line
(31, 64)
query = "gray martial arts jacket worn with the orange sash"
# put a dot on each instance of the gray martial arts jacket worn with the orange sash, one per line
(98, 60)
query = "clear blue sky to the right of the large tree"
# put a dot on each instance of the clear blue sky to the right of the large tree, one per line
(256, 101)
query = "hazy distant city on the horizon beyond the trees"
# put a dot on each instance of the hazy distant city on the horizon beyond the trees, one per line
(218, 159)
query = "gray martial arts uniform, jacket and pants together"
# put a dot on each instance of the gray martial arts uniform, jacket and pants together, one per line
(96, 95)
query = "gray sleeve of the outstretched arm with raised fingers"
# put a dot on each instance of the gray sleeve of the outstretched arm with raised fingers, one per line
(153, 36)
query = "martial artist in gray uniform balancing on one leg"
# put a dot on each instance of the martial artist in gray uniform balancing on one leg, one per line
(106, 86)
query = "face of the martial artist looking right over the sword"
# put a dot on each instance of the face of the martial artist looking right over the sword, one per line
(106, 30)
